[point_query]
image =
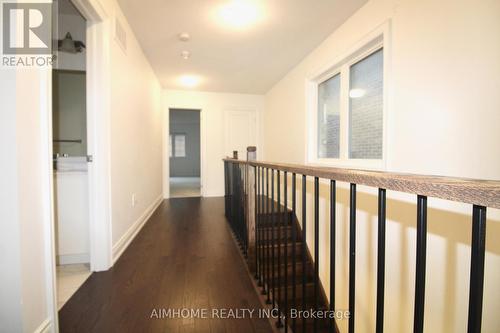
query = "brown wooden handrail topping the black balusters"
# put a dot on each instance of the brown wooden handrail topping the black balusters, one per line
(476, 192)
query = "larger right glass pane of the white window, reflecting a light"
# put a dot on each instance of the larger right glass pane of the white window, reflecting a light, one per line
(365, 110)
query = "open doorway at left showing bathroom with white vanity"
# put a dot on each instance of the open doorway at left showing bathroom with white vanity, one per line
(69, 137)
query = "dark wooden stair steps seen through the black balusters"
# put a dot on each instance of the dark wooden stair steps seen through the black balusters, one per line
(280, 246)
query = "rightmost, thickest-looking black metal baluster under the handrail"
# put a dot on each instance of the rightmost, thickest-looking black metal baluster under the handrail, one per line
(476, 284)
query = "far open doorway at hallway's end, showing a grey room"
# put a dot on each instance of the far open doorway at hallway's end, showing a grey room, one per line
(185, 153)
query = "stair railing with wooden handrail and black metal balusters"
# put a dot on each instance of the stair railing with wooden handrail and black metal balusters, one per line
(272, 228)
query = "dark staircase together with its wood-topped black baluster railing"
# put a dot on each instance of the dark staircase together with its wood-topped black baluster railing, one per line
(272, 238)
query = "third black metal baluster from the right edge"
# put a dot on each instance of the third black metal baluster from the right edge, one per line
(381, 260)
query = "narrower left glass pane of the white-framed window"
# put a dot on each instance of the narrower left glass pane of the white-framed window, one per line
(328, 118)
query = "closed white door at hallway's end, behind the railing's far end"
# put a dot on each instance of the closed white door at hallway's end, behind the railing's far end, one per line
(241, 132)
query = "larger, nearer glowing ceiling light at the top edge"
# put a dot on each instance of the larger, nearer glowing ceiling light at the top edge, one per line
(239, 14)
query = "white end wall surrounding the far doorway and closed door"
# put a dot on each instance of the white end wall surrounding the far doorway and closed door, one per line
(213, 107)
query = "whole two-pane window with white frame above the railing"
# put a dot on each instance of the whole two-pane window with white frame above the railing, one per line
(347, 110)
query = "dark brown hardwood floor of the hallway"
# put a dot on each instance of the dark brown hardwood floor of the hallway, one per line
(184, 257)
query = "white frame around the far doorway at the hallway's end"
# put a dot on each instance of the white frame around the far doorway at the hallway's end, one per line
(166, 149)
